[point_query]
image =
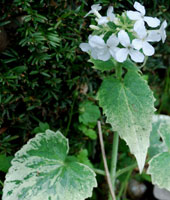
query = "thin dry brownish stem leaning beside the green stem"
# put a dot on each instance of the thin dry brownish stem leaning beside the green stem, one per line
(105, 162)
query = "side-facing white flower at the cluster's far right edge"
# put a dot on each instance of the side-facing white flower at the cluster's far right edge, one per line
(157, 35)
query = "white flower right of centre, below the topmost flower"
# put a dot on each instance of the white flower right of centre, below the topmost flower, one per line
(142, 41)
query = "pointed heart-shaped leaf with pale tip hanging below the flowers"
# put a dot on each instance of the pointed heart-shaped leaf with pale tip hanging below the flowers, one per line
(129, 107)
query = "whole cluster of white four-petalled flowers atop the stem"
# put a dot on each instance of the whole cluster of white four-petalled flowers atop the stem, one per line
(119, 36)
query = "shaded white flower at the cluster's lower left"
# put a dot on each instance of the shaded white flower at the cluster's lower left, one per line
(99, 49)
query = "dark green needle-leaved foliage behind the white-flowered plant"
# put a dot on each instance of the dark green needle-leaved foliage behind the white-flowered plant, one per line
(46, 81)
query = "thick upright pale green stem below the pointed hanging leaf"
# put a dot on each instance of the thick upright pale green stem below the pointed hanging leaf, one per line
(114, 160)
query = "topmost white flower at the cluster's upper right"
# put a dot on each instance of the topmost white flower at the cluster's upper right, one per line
(139, 16)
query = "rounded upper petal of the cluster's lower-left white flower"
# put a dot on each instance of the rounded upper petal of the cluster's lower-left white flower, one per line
(96, 42)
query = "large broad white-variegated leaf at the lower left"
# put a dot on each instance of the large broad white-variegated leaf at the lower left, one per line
(42, 170)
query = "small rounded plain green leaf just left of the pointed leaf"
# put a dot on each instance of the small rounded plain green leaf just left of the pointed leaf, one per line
(89, 113)
